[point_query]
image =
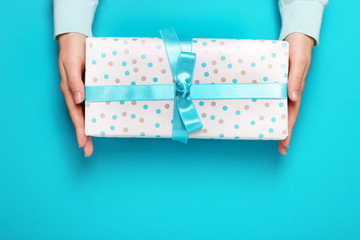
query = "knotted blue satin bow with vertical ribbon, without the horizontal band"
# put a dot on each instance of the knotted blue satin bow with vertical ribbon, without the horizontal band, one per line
(182, 62)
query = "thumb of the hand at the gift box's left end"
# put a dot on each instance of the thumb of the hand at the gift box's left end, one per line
(74, 69)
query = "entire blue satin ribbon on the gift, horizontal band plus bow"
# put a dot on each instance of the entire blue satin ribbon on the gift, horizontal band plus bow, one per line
(182, 62)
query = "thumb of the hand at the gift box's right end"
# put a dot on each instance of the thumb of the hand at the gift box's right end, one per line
(296, 76)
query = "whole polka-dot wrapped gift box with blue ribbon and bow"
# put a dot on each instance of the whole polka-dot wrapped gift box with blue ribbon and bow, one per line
(196, 88)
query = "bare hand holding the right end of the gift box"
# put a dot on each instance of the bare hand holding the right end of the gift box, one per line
(300, 51)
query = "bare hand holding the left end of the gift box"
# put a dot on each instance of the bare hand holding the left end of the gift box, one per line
(71, 67)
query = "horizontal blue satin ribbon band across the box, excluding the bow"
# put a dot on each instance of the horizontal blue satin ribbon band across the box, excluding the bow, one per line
(160, 92)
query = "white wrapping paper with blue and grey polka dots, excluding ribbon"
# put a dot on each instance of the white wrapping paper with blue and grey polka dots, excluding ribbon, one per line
(139, 61)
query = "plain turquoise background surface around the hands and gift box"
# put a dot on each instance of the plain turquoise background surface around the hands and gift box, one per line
(143, 189)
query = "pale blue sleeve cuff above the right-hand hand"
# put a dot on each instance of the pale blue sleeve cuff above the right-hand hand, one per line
(303, 16)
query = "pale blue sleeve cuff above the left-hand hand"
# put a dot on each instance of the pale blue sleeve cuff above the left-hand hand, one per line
(74, 16)
